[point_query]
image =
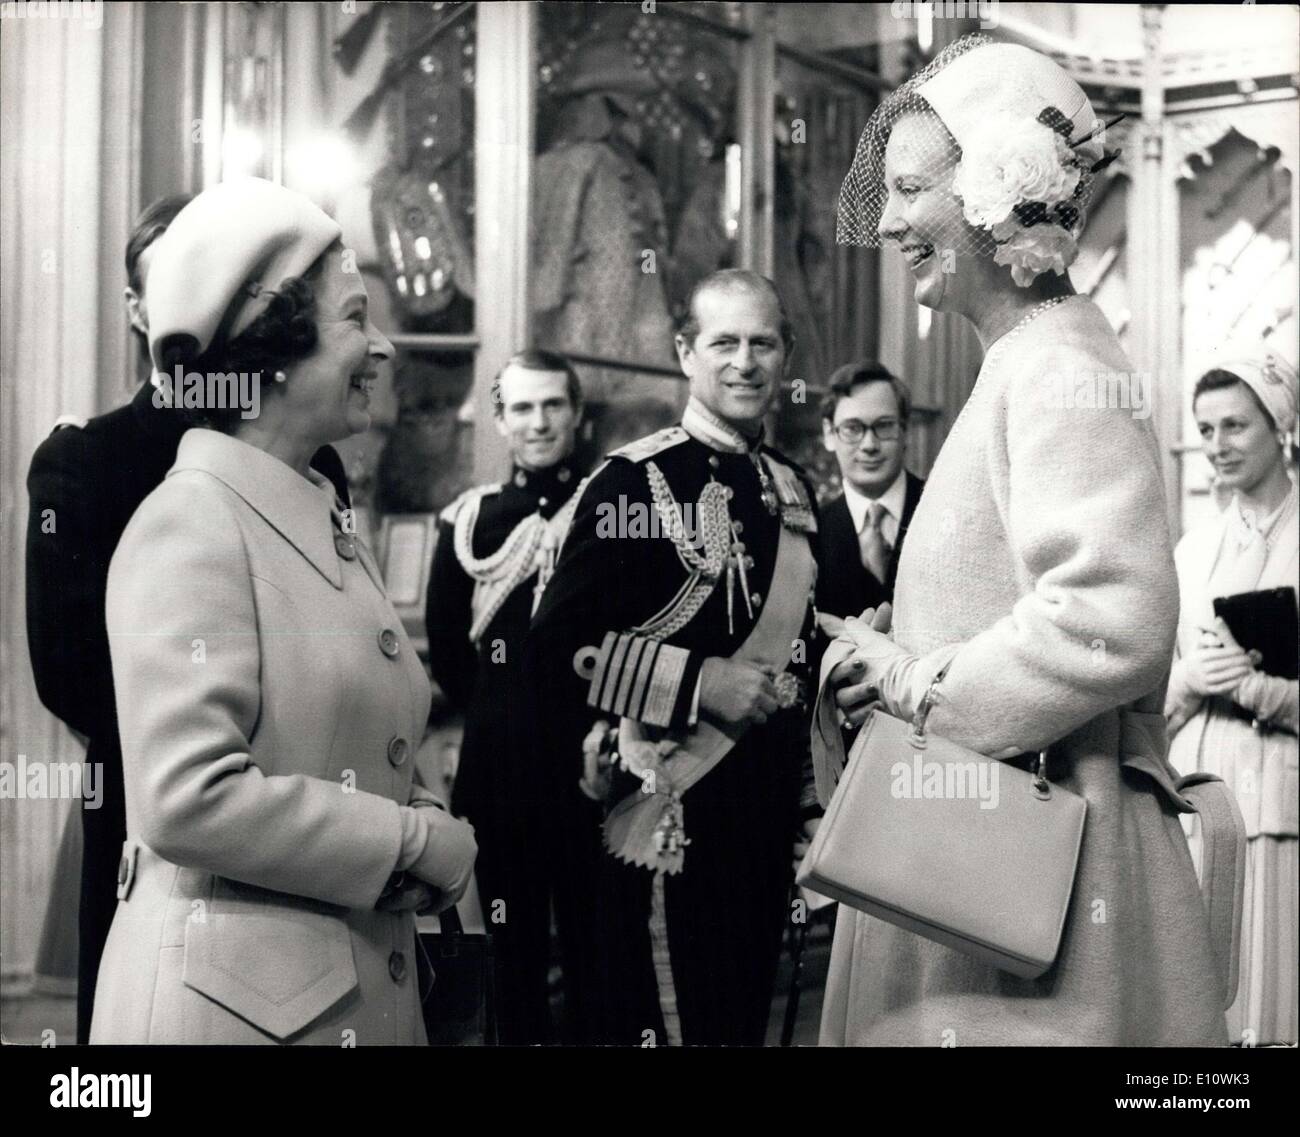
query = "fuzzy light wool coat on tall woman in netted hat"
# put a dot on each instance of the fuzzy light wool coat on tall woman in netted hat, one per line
(1041, 553)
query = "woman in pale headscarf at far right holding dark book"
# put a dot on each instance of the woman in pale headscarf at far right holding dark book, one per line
(1225, 715)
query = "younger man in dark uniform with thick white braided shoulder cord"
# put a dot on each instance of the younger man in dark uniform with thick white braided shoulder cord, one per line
(539, 839)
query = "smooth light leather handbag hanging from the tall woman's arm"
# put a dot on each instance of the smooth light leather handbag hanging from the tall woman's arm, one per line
(969, 852)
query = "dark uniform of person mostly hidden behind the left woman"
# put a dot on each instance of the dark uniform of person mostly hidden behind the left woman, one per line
(84, 487)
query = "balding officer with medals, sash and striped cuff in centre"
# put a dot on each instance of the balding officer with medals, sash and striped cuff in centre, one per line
(675, 632)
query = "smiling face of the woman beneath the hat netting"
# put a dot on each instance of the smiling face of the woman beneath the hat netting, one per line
(925, 216)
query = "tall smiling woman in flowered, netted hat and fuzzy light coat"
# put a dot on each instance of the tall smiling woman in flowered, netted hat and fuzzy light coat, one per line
(1038, 567)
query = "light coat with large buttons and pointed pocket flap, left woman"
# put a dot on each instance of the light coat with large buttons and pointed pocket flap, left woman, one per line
(270, 706)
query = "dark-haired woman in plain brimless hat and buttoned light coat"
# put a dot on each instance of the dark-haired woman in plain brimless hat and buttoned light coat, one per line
(268, 700)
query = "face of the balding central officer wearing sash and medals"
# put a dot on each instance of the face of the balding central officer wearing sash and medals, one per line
(738, 359)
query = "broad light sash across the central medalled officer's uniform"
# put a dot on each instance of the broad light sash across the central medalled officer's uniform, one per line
(632, 827)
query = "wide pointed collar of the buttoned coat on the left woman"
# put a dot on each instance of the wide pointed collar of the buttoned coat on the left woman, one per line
(297, 509)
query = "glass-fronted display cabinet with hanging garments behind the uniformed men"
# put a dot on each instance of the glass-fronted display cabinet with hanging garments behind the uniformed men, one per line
(651, 146)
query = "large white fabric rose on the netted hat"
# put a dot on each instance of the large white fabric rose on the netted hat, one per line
(1008, 162)
